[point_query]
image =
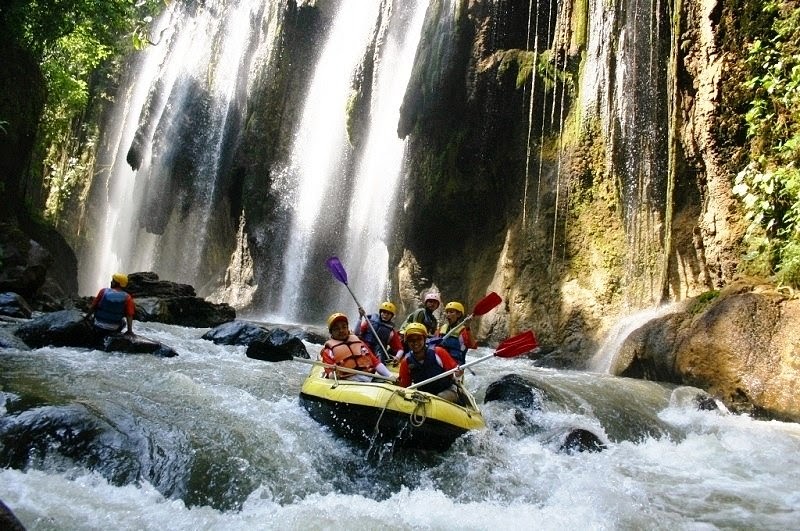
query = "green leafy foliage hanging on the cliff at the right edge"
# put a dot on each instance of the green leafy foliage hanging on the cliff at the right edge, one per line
(769, 186)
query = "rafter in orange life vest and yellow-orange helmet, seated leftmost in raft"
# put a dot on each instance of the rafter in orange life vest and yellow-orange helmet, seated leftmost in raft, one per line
(347, 350)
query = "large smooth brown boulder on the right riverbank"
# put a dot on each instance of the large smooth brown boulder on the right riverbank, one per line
(713, 344)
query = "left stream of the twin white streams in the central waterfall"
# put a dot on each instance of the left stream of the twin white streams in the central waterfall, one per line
(316, 178)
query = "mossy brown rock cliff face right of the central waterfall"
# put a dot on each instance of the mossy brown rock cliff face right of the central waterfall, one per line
(541, 169)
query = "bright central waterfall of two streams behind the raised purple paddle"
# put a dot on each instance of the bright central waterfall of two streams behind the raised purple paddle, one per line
(340, 193)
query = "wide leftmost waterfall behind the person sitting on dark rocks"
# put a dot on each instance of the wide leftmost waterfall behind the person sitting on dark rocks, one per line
(169, 139)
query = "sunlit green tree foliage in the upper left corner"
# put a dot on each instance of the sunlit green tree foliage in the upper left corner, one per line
(74, 40)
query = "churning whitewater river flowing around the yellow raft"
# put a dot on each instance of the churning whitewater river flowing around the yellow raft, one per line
(214, 440)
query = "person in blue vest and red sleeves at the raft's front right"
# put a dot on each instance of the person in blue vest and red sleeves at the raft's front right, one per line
(422, 362)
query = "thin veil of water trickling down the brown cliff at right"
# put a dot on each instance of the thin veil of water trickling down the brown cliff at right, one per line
(624, 89)
